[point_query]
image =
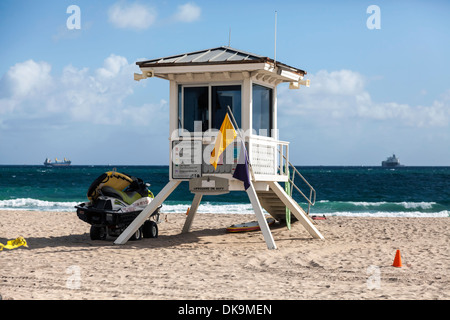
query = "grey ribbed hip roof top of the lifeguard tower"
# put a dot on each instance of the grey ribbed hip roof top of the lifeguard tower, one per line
(219, 55)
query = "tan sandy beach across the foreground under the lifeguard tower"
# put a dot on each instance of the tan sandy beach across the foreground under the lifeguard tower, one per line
(353, 262)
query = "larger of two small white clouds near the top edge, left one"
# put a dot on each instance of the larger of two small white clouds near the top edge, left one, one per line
(134, 16)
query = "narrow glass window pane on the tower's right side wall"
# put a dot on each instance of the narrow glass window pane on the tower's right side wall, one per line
(262, 110)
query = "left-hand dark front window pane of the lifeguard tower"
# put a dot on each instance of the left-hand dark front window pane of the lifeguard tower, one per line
(195, 107)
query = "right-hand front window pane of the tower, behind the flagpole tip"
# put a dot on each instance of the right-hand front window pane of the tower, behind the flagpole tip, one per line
(223, 96)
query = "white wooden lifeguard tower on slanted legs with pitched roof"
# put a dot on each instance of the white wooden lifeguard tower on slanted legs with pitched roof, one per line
(204, 86)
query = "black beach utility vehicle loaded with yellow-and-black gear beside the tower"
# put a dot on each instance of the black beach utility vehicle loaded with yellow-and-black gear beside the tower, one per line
(115, 200)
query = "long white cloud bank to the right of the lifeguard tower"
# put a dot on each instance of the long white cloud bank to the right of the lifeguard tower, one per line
(342, 95)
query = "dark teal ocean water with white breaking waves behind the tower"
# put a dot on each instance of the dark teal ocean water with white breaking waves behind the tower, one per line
(341, 191)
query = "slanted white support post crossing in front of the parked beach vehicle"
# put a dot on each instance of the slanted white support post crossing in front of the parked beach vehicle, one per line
(140, 219)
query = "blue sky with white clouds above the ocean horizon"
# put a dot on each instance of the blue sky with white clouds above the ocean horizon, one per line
(70, 93)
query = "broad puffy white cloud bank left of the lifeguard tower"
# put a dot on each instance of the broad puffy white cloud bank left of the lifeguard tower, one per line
(75, 96)
